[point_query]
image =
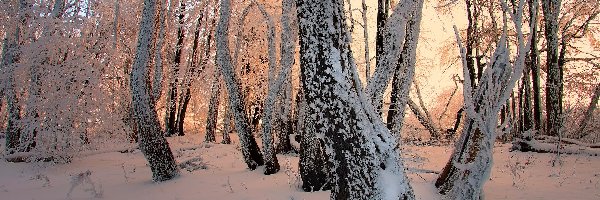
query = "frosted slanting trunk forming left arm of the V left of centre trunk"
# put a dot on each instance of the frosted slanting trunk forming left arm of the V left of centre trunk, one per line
(250, 151)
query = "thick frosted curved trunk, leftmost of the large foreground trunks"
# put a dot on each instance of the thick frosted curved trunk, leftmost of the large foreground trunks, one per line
(151, 139)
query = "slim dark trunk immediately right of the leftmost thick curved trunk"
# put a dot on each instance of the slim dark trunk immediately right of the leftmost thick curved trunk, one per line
(171, 112)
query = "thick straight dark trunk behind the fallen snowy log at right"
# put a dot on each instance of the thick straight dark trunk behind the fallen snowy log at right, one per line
(554, 82)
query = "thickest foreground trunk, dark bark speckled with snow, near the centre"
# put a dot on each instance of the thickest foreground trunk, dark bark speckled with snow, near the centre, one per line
(362, 150)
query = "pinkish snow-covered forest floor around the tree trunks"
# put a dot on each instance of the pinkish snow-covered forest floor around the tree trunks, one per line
(118, 175)
